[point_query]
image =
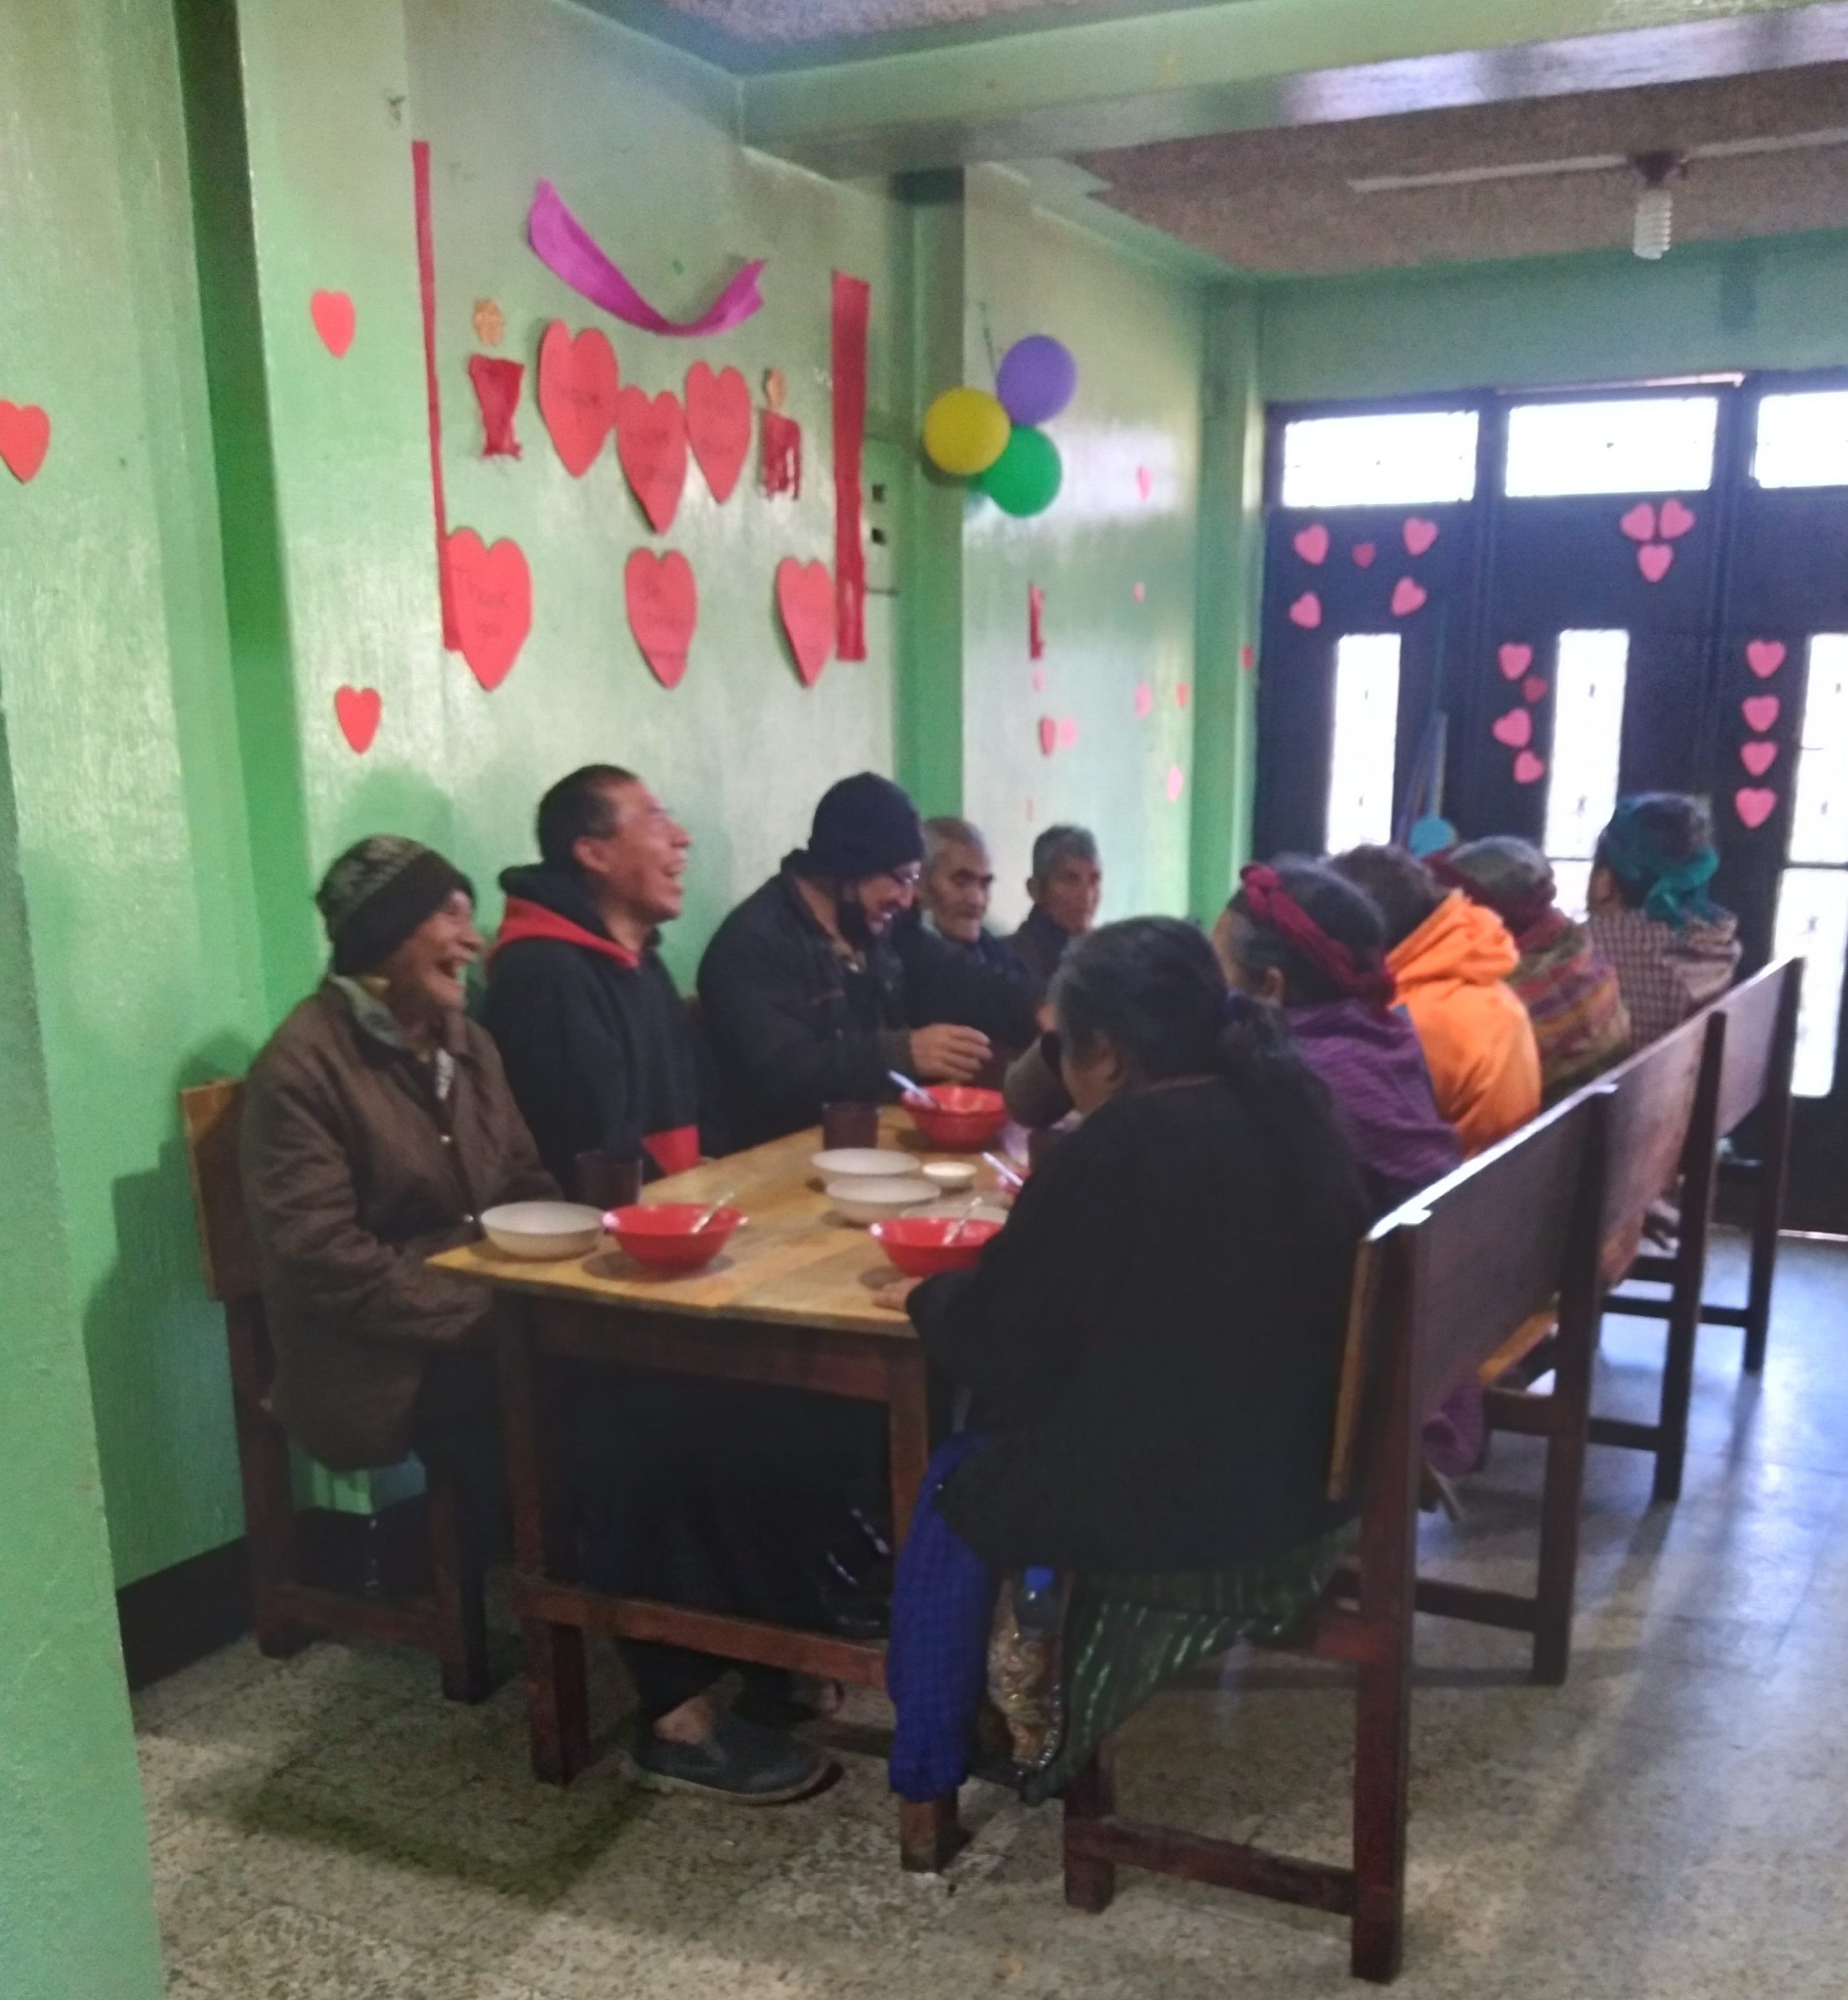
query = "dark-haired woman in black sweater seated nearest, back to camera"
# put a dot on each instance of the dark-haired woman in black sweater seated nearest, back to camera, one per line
(1151, 1345)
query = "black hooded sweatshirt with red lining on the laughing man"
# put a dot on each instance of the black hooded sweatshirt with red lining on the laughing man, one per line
(597, 1043)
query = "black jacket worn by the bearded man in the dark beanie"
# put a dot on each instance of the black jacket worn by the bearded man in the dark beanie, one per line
(797, 1027)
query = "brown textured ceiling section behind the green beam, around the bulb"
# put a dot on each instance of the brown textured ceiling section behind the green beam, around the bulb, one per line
(1281, 201)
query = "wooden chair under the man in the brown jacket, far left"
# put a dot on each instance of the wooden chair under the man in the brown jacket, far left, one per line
(289, 1609)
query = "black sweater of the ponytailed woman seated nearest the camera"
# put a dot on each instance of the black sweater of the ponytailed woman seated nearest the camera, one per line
(1153, 1343)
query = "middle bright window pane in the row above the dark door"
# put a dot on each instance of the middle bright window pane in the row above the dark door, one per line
(1635, 445)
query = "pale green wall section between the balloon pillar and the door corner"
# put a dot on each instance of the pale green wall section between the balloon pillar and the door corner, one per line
(1135, 423)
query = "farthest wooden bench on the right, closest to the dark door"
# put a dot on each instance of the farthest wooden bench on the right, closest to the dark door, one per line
(1757, 1029)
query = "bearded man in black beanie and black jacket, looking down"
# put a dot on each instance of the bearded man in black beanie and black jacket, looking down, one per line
(809, 997)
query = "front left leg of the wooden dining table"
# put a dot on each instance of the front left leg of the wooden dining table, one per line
(557, 1697)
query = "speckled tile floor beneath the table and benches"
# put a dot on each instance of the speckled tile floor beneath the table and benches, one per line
(1667, 1827)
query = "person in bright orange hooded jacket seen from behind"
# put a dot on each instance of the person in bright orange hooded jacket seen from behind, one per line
(1451, 959)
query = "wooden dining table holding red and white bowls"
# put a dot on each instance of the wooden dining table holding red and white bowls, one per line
(789, 1303)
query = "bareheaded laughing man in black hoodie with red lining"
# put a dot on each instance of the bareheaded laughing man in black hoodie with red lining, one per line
(595, 1039)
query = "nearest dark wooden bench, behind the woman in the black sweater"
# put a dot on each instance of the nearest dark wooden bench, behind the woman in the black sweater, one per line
(1437, 1289)
